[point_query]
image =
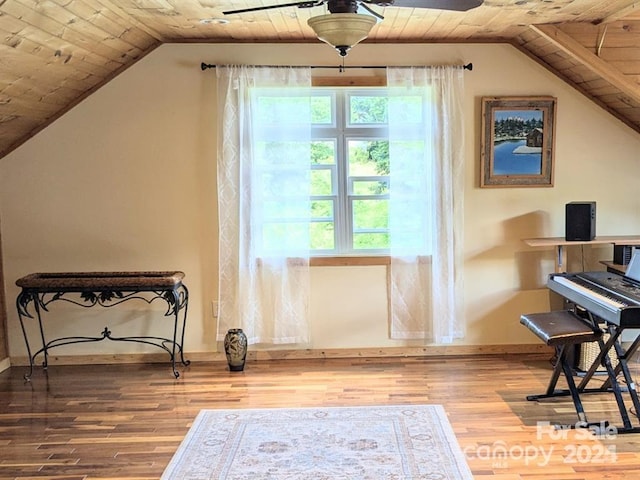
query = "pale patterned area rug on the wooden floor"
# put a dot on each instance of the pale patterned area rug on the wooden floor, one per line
(410, 442)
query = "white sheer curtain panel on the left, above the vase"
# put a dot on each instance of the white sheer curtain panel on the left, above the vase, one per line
(264, 237)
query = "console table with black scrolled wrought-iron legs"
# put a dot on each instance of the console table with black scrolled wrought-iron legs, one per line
(105, 289)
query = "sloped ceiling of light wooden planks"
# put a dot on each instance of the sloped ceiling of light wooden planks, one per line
(53, 53)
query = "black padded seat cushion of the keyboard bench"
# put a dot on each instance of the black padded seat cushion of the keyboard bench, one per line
(560, 328)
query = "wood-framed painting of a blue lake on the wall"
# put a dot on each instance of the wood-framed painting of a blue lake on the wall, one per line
(517, 141)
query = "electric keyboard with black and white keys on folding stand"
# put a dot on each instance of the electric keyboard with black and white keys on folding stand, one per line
(606, 295)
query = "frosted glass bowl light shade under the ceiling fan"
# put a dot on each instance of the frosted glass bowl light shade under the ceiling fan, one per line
(342, 30)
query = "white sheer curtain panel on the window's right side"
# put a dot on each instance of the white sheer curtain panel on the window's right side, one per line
(425, 278)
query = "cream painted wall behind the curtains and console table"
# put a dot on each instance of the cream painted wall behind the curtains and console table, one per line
(126, 181)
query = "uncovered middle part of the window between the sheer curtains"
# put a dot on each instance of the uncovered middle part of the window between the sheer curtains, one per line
(349, 172)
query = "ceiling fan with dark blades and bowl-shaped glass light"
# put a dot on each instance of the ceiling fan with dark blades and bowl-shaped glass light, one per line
(344, 27)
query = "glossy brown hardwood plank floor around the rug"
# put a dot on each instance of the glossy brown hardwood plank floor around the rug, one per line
(106, 422)
